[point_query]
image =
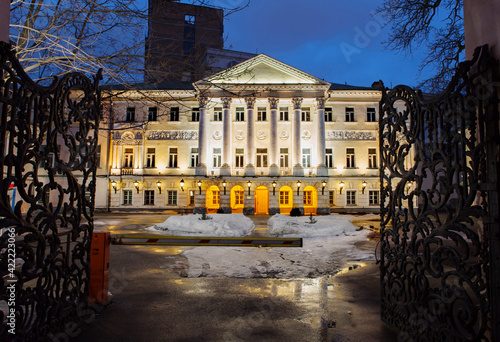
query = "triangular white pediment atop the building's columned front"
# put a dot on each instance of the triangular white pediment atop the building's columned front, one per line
(262, 69)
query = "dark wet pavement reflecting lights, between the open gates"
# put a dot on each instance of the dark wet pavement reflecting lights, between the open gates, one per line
(154, 301)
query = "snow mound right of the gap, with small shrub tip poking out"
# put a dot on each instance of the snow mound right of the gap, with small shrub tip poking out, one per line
(305, 226)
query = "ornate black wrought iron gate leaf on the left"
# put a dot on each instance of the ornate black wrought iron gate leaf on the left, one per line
(48, 142)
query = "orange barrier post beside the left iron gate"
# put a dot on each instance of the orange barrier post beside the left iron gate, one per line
(99, 263)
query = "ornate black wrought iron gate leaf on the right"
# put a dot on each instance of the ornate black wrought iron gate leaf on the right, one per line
(439, 191)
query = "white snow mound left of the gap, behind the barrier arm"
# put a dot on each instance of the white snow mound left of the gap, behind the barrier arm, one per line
(192, 225)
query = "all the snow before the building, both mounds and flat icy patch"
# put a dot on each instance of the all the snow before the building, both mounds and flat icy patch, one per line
(328, 245)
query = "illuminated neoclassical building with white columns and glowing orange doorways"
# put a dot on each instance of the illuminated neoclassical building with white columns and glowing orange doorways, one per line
(260, 137)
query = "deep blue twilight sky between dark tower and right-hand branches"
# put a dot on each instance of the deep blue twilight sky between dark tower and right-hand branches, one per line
(336, 40)
